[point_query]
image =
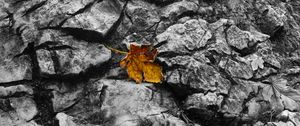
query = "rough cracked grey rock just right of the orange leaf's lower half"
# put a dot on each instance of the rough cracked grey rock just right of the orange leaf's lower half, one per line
(195, 75)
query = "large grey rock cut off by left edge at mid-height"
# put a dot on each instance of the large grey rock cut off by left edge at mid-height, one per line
(13, 68)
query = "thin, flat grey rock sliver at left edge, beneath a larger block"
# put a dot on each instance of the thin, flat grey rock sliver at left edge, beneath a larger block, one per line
(14, 90)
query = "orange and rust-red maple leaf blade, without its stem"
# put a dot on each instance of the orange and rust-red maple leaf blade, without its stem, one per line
(140, 65)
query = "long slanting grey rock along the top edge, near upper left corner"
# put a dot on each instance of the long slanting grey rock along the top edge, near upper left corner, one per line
(50, 13)
